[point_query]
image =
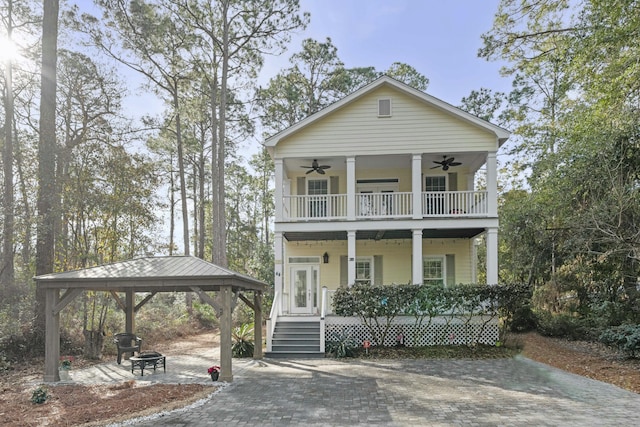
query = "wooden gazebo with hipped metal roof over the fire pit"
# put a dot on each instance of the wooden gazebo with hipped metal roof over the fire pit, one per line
(151, 275)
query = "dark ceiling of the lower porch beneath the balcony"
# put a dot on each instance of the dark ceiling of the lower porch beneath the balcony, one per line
(428, 233)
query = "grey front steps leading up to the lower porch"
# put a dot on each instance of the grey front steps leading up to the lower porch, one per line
(296, 340)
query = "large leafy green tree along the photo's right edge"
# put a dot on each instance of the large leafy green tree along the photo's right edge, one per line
(574, 105)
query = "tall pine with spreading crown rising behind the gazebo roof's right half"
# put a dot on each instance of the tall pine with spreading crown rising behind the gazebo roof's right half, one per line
(237, 34)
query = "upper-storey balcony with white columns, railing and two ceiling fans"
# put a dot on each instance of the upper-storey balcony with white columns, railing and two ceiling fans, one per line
(390, 187)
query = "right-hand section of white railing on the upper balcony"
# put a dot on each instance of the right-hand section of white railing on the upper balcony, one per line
(454, 203)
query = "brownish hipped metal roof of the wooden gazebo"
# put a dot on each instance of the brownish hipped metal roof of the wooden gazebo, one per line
(158, 273)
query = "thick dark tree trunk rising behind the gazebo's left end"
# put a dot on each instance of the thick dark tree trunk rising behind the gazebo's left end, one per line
(46, 155)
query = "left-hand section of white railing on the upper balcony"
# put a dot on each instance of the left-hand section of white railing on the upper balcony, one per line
(329, 206)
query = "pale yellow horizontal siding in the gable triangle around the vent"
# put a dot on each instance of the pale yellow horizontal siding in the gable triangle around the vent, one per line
(414, 127)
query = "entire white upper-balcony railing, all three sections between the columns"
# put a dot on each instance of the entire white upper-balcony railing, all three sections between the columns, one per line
(385, 205)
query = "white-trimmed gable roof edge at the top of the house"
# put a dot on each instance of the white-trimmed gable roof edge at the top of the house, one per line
(501, 134)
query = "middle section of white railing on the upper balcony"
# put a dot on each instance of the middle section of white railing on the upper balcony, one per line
(384, 205)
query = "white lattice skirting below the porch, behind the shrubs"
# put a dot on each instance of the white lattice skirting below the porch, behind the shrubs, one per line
(442, 330)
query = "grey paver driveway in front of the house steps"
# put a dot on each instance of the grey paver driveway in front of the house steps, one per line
(505, 392)
